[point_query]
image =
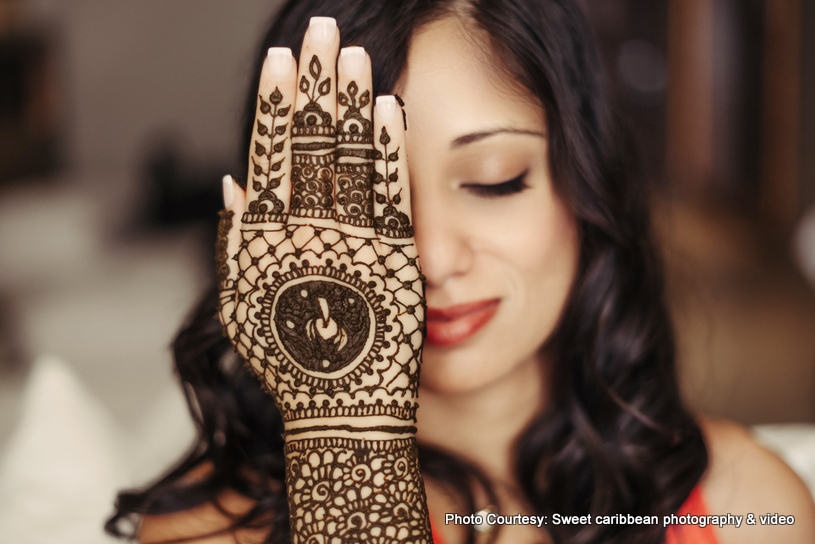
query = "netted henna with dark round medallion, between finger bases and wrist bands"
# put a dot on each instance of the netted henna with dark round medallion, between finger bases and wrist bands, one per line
(297, 330)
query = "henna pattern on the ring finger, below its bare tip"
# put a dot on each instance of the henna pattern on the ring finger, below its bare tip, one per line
(355, 156)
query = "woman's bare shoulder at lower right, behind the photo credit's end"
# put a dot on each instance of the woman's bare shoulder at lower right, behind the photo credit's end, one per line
(745, 478)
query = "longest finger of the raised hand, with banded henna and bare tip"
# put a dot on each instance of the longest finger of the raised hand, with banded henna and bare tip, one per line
(313, 133)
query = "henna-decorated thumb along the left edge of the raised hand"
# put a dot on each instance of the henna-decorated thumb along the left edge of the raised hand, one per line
(227, 247)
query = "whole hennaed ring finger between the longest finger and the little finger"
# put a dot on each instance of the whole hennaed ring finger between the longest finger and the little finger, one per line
(354, 165)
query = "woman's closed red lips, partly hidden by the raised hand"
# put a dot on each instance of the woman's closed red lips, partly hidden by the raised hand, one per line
(455, 324)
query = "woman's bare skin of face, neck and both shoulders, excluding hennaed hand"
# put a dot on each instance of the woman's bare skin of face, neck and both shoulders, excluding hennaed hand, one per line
(520, 249)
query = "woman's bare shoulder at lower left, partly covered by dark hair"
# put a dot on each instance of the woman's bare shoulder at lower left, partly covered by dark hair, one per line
(205, 524)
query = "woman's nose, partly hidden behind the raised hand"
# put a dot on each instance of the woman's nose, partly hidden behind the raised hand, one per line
(442, 240)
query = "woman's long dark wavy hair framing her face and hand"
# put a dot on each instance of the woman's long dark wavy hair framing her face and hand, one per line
(615, 436)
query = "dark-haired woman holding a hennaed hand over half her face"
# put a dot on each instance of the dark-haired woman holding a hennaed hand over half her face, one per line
(548, 385)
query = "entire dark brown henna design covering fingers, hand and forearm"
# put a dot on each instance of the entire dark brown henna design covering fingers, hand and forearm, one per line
(332, 322)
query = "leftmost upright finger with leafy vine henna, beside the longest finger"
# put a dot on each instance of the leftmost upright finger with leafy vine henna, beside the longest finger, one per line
(268, 190)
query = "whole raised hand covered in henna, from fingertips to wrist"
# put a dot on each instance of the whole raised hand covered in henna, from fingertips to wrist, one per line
(321, 290)
